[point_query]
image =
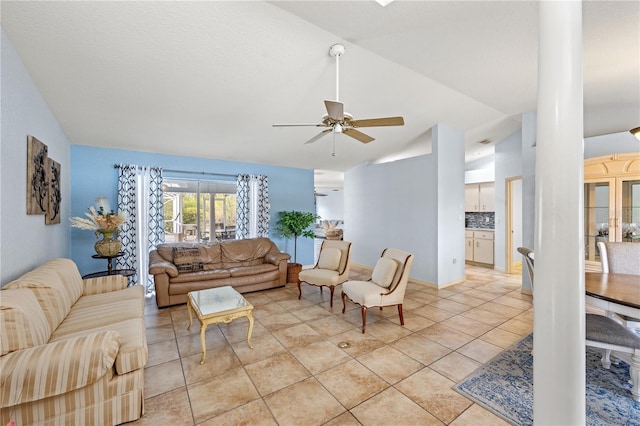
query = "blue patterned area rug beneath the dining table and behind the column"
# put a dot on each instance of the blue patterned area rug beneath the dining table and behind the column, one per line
(504, 386)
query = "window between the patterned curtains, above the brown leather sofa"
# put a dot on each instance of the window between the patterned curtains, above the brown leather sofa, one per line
(199, 210)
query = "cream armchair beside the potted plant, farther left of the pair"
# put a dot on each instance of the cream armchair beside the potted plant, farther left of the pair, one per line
(331, 269)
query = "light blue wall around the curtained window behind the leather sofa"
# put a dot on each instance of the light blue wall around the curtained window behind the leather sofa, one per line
(93, 175)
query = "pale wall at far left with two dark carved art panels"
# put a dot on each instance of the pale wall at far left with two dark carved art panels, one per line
(25, 241)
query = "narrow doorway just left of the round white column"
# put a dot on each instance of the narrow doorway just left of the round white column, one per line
(514, 225)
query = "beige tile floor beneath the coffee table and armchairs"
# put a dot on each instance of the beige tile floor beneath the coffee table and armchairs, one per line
(297, 375)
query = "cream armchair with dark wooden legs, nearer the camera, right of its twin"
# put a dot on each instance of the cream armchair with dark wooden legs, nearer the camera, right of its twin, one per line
(386, 287)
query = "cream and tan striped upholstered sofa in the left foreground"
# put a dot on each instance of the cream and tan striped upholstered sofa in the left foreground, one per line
(72, 351)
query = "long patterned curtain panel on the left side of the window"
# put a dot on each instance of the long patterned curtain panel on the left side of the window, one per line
(140, 196)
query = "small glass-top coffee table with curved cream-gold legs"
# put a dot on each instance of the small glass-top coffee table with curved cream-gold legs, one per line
(216, 305)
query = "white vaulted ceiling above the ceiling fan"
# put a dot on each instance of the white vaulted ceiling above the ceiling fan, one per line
(209, 78)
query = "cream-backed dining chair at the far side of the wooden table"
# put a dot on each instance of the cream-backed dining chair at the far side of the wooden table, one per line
(621, 258)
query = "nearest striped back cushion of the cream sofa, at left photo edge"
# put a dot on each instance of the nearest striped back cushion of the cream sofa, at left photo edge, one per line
(22, 321)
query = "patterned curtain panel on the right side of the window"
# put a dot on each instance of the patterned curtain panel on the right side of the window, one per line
(252, 207)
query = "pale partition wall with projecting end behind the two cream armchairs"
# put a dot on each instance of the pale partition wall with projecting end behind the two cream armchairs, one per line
(415, 204)
